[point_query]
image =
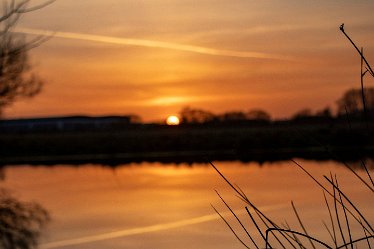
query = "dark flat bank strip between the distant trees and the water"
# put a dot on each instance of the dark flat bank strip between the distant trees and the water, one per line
(192, 143)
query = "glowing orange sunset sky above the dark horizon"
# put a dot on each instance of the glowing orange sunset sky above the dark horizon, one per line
(154, 57)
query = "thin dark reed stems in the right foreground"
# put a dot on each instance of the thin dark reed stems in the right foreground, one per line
(260, 231)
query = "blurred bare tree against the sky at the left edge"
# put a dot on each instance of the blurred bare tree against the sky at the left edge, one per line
(16, 78)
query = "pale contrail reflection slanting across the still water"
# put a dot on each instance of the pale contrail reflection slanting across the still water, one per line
(144, 230)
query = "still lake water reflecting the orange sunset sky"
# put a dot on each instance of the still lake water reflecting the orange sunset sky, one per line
(152, 205)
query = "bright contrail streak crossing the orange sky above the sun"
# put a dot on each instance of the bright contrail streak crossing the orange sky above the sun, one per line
(151, 44)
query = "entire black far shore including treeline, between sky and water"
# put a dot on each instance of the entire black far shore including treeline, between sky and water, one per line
(251, 135)
